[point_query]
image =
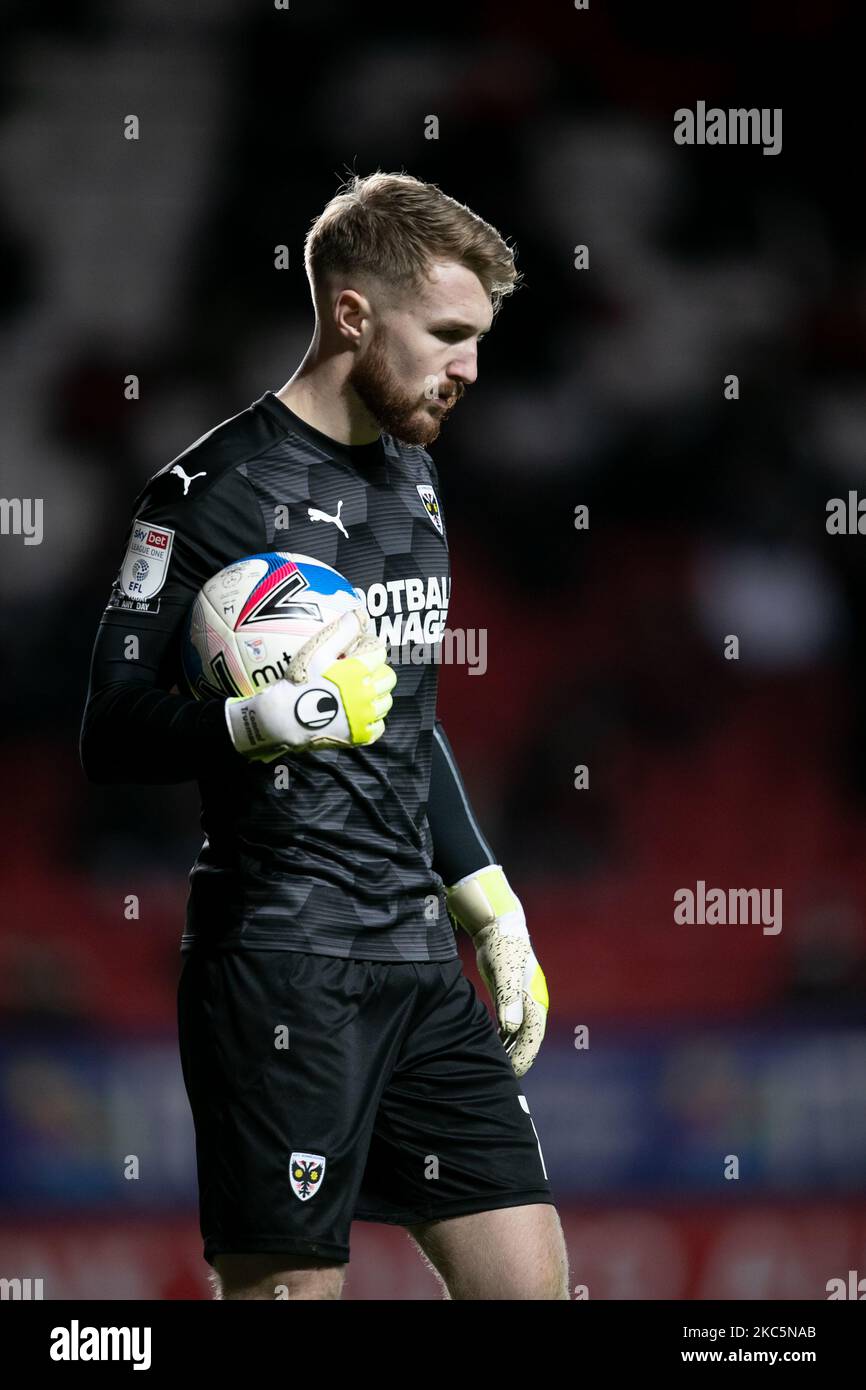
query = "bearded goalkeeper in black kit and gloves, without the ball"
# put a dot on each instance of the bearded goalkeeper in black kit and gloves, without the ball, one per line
(320, 903)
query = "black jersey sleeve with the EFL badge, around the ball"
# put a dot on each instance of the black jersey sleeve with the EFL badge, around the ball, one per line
(134, 730)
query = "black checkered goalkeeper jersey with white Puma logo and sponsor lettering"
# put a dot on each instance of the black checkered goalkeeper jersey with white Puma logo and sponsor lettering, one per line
(337, 857)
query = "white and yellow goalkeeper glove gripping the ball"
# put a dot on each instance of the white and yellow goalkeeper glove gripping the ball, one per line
(336, 694)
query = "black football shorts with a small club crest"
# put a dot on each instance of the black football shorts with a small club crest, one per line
(394, 1100)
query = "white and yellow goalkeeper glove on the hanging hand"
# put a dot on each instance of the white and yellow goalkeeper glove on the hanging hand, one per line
(484, 906)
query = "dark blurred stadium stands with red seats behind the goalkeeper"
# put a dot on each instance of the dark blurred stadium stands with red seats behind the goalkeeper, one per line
(605, 647)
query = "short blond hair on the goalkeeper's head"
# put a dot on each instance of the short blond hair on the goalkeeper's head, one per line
(393, 227)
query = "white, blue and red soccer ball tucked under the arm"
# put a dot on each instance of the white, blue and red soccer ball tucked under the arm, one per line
(252, 618)
